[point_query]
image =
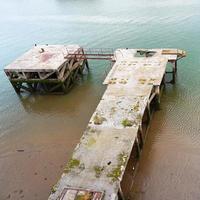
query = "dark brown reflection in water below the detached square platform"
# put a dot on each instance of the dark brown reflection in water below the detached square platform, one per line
(59, 104)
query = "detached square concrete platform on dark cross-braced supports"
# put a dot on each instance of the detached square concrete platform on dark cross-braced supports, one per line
(46, 68)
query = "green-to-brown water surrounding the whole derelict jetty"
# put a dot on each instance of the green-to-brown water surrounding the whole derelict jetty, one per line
(39, 133)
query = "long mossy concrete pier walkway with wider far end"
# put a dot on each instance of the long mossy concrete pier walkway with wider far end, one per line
(98, 163)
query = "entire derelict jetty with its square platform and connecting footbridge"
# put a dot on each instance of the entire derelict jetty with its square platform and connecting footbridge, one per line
(115, 135)
